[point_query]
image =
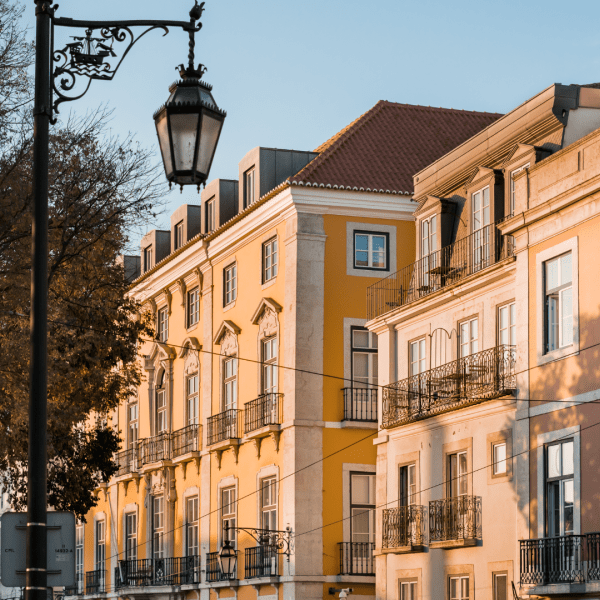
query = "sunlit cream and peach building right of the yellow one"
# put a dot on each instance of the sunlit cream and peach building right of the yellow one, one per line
(486, 475)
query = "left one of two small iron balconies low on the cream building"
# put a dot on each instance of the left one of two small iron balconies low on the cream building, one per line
(404, 529)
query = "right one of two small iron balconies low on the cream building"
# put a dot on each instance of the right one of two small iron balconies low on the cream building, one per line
(454, 522)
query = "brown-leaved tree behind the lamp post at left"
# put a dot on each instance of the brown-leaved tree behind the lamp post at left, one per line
(101, 189)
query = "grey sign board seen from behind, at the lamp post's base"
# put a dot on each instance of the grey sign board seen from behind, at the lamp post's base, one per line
(60, 547)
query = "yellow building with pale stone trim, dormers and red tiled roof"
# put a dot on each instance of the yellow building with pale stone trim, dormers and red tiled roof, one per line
(259, 406)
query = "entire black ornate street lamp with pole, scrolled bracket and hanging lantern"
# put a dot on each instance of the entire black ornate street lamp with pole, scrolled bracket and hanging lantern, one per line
(193, 123)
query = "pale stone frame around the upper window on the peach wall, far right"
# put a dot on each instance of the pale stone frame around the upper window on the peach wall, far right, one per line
(566, 246)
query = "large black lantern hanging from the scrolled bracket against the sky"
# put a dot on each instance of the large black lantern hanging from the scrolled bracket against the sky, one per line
(189, 124)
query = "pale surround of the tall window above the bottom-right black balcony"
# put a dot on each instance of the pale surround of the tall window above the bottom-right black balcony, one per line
(546, 438)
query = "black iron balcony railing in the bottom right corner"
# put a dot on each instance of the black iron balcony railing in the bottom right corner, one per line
(565, 559)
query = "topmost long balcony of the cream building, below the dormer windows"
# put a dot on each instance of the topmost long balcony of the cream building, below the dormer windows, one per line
(439, 270)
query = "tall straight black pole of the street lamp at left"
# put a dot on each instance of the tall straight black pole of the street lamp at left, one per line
(36, 577)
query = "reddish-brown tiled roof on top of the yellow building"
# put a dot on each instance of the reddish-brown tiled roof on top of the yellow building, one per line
(387, 145)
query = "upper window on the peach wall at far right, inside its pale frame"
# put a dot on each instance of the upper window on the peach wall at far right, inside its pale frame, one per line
(559, 302)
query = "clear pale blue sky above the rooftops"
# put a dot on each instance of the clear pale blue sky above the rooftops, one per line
(291, 74)
